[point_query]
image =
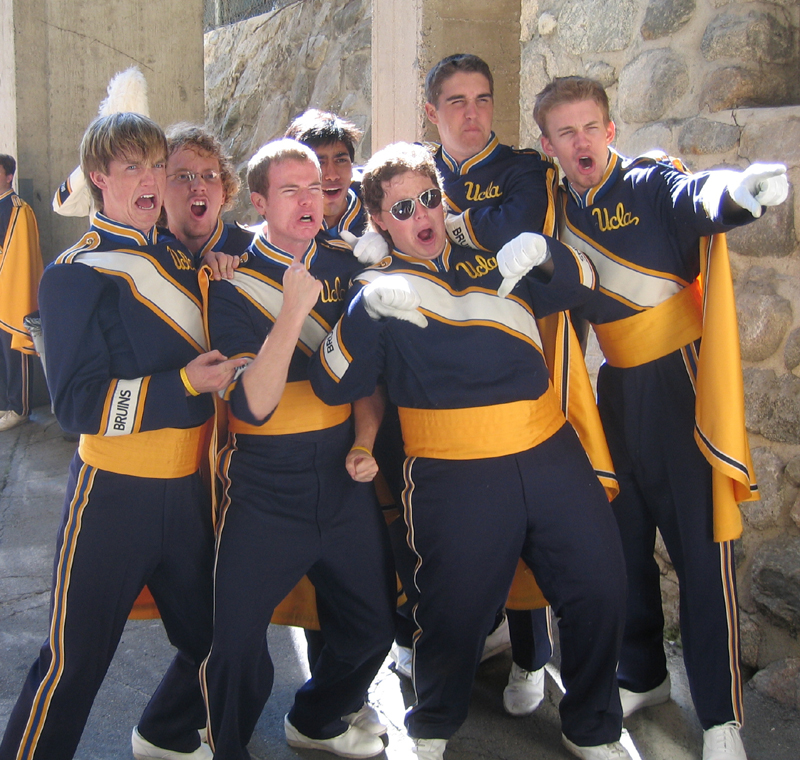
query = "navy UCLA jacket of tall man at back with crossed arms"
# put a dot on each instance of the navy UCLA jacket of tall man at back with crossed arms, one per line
(502, 192)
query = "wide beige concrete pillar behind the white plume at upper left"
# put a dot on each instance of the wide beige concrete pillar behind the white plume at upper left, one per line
(56, 59)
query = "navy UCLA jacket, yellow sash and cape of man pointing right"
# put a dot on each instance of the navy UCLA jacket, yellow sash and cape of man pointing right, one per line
(655, 234)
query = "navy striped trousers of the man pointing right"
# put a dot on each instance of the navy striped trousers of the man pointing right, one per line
(665, 483)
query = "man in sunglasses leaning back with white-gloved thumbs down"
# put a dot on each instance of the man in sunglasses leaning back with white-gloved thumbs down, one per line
(493, 471)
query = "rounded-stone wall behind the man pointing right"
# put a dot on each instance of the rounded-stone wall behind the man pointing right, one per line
(716, 83)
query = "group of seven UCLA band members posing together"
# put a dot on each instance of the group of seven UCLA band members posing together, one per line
(433, 293)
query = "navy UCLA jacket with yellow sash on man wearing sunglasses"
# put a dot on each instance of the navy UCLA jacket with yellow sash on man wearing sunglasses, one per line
(478, 351)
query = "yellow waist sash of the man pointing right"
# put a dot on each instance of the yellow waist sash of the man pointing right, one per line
(653, 333)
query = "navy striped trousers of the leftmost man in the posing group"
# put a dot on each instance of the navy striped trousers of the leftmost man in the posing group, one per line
(117, 534)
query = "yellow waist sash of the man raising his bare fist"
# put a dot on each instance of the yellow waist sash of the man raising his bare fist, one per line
(300, 411)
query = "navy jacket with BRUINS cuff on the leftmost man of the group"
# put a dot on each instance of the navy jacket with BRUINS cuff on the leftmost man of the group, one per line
(121, 315)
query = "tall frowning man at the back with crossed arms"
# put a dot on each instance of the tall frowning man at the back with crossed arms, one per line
(493, 192)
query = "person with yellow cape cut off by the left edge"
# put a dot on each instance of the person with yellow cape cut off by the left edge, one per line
(20, 272)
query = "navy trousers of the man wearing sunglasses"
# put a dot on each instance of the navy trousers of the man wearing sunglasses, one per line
(469, 521)
